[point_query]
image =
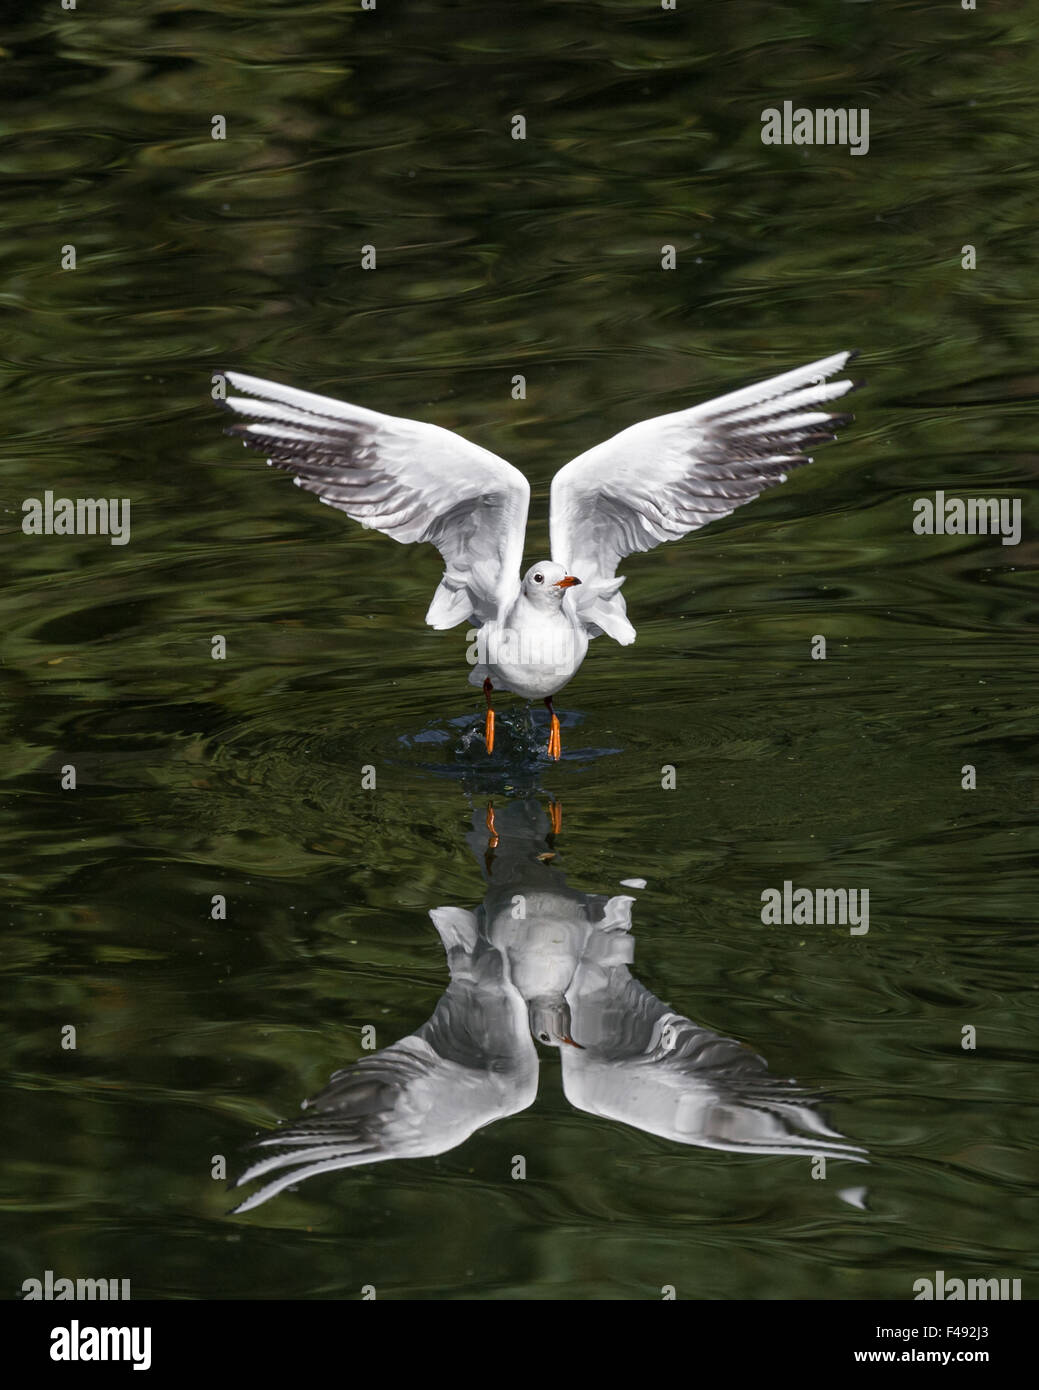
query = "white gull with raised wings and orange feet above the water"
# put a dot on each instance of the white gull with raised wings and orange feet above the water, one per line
(656, 482)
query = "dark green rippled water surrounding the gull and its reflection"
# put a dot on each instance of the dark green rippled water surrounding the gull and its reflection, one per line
(244, 778)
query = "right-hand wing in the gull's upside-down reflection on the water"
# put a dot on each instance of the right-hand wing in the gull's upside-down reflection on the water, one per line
(657, 1071)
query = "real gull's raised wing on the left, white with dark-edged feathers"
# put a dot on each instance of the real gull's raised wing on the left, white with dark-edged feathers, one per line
(410, 480)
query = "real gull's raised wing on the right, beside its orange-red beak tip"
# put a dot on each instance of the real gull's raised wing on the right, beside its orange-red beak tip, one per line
(666, 477)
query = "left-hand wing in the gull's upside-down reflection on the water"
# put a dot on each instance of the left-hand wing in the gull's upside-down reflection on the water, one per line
(472, 1064)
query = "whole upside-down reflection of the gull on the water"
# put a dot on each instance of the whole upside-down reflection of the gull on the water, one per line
(540, 957)
